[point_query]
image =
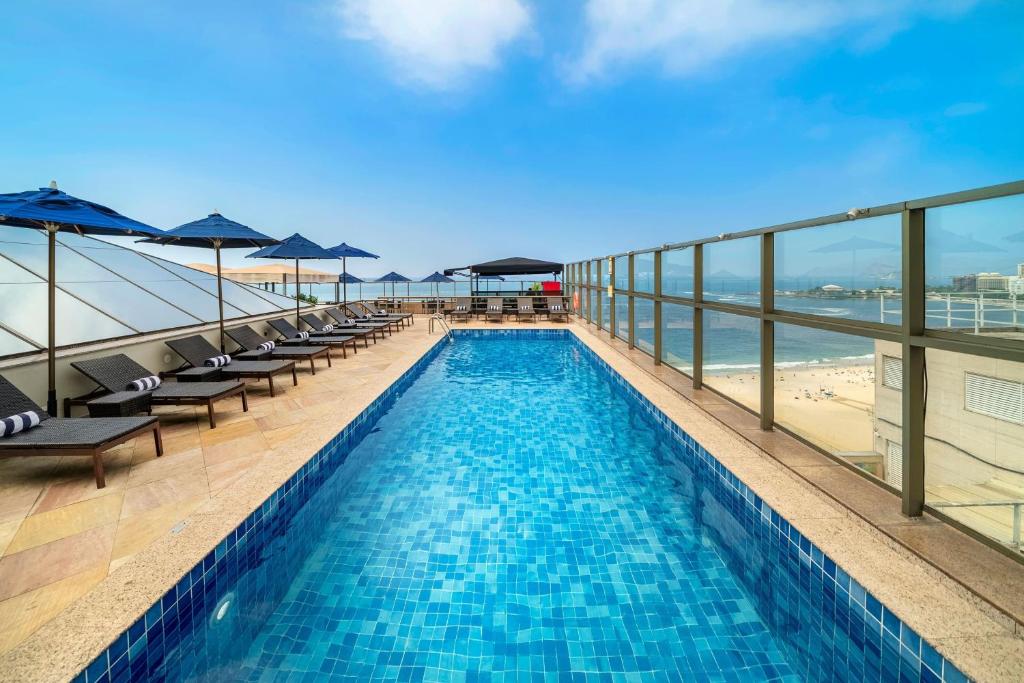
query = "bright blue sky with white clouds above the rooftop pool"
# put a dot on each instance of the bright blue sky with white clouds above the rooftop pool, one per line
(444, 133)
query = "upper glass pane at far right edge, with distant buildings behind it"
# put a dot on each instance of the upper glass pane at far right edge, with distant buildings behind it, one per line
(975, 268)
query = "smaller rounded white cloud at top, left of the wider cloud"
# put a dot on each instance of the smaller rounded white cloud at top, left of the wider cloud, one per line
(437, 44)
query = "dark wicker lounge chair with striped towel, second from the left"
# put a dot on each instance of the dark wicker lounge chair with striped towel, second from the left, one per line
(114, 373)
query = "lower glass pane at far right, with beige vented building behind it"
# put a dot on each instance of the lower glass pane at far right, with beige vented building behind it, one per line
(974, 441)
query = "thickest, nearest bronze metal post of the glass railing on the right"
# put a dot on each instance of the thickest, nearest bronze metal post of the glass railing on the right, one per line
(914, 363)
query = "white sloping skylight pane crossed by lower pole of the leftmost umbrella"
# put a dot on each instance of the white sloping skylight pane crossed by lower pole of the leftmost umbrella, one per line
(23, 308)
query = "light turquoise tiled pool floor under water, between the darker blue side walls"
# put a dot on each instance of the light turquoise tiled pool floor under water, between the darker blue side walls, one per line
(514, 518)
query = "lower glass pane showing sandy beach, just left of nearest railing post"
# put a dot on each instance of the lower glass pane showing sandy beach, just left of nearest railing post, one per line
(826, 392)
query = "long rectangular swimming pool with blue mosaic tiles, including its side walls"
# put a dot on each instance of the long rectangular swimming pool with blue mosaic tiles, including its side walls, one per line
(511, 510)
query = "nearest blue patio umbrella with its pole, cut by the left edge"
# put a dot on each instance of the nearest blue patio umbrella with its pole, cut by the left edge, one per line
(52, 210)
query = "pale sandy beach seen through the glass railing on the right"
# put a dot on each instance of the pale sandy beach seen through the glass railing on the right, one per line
(831, 405)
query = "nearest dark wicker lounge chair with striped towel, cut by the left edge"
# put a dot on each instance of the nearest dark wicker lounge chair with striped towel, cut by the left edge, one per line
(70, 437)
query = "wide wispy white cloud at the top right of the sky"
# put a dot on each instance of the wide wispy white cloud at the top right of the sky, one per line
(687, 36)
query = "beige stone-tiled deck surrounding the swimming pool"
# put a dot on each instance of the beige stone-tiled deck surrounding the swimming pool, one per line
(79, 565)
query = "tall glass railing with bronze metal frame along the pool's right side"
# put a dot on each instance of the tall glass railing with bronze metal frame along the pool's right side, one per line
(890, 338)
